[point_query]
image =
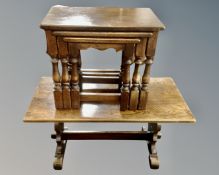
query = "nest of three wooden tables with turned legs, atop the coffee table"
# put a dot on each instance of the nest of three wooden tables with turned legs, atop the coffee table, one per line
(65, 39)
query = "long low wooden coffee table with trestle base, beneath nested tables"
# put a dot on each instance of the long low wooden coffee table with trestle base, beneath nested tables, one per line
(165, 105)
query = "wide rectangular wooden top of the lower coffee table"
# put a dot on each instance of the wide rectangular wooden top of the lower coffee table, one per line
(165, 105)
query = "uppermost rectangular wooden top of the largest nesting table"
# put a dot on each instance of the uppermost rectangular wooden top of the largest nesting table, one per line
(101, 19)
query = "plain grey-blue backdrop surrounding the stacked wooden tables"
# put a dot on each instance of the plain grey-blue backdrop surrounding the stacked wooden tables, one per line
(187, 50)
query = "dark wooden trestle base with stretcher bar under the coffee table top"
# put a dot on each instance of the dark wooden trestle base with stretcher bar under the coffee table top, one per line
(63, 135)
